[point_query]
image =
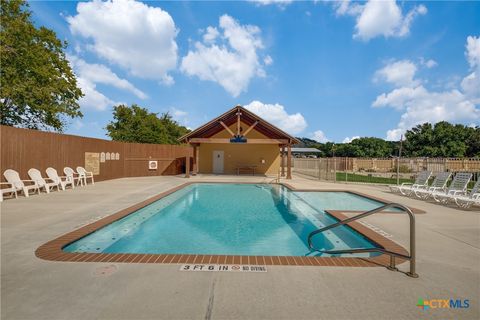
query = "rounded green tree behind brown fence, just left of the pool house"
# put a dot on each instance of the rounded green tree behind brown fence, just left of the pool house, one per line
(136, 124)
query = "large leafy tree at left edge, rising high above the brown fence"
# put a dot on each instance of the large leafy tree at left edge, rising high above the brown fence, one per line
(37, 86)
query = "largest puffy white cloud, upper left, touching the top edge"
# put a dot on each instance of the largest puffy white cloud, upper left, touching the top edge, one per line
(130, 34)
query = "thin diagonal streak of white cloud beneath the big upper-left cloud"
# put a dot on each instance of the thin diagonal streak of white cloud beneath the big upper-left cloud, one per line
(98, 73)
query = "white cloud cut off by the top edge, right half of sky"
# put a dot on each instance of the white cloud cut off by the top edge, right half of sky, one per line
(379, 18)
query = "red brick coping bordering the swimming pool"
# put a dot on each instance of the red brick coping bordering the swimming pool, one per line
(52, 250)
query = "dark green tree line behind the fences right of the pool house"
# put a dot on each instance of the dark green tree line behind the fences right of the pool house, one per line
(426, 140)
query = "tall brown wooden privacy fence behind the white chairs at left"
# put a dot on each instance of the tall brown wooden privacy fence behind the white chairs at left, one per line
(22, 149)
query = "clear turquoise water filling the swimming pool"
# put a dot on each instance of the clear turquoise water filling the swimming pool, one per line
(231, 219)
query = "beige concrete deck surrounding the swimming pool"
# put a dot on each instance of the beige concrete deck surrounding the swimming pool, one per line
(448, 262)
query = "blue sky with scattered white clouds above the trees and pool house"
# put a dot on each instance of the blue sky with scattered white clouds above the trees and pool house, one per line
(324, 70)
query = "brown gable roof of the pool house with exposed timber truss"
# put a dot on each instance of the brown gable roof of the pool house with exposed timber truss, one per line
(230, 117)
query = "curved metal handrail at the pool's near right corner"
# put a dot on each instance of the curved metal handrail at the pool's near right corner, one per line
(410, 257)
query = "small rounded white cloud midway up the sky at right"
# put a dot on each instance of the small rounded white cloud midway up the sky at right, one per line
(399, 73)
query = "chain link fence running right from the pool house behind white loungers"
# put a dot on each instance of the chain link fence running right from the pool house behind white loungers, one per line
(383, 171)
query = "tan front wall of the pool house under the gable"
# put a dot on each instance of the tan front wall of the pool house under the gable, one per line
(240, 154)
